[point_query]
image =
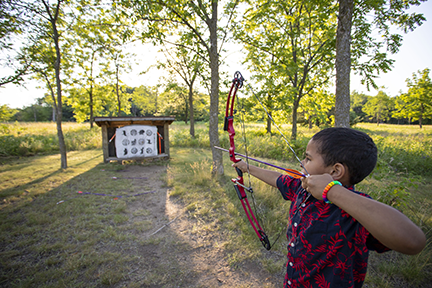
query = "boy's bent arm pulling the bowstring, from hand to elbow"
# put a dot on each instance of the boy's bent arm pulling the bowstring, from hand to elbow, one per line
(386, 224)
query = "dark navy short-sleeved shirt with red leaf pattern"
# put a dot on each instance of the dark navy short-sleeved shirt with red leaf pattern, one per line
(326, 246)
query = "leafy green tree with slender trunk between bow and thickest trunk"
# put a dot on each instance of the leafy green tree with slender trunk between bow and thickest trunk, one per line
(292, 41)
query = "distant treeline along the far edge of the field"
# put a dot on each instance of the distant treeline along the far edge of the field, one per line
(152, 101)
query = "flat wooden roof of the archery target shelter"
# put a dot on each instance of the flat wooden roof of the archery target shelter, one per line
(124, 121)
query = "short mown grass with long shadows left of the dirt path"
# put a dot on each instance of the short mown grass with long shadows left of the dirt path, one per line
(43, 241)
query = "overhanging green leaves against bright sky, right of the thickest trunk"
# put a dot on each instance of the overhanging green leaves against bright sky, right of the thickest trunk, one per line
(373, 34)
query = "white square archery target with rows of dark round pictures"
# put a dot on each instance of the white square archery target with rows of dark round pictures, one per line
(136, 141)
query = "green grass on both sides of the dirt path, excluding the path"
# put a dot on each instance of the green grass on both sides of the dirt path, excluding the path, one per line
(88, 243)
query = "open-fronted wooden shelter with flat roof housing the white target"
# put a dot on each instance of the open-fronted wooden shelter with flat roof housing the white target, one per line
(110, 126)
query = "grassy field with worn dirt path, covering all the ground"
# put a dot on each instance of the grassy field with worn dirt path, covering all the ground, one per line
(53, 236)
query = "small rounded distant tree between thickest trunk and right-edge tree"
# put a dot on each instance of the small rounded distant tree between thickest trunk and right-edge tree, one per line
(379, 107)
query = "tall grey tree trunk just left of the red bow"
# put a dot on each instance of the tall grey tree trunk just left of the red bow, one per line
(217, 168)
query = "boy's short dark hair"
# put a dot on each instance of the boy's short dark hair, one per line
(352, 148)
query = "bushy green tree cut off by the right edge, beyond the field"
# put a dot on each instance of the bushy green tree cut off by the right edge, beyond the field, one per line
(417, 103)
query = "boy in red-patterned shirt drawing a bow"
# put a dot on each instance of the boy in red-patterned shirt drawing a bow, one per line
(331, 226)
